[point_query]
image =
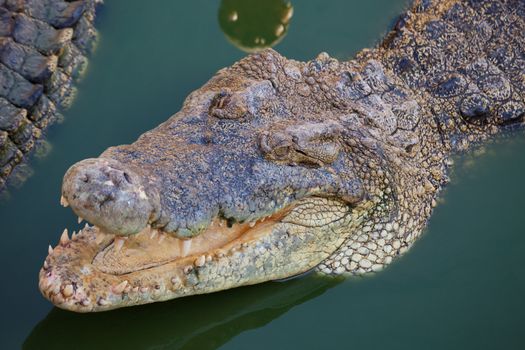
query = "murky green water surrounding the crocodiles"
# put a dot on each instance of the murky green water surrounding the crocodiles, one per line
(461, 287)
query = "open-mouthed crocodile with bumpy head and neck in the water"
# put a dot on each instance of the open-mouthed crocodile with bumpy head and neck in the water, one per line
(276, 167)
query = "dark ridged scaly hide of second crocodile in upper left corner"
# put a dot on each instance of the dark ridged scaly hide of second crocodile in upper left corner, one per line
(43, 49)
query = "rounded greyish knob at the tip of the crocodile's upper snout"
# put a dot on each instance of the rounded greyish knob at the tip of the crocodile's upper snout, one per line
(111, 195)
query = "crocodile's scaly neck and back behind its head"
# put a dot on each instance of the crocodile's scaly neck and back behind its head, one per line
(463, 63)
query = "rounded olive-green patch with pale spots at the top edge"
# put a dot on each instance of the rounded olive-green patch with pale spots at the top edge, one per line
(254, 25)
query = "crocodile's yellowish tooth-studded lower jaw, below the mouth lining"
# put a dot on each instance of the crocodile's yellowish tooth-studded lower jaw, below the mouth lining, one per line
(72, 279)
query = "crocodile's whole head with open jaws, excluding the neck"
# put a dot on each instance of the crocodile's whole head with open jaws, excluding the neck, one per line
(255, 179)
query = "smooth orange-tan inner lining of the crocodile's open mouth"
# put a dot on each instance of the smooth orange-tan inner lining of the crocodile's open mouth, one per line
(151, 247)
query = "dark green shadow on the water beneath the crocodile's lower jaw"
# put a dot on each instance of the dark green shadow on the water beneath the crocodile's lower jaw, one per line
(199, 322)
